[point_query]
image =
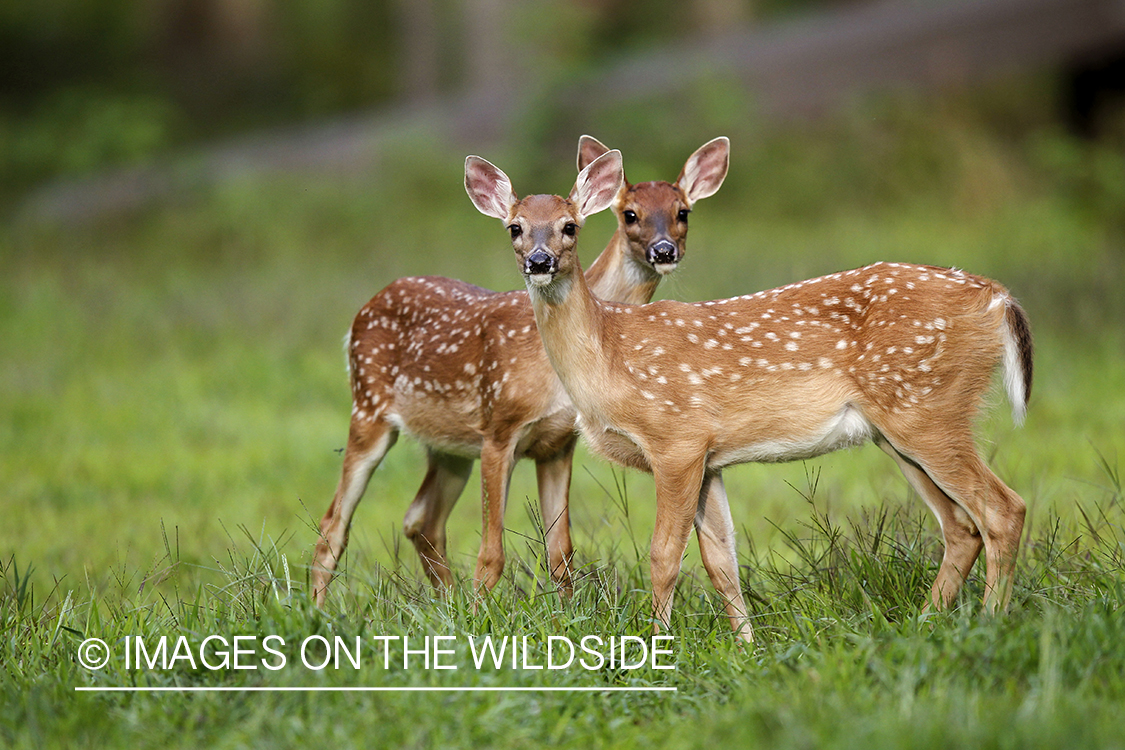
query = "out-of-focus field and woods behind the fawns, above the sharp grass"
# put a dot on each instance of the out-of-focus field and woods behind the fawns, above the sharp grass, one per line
(199, 195)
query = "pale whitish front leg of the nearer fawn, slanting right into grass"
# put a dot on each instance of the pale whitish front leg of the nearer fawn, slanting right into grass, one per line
(716, 531)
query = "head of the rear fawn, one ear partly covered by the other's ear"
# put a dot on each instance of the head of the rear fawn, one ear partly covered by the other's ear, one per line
(653, 216)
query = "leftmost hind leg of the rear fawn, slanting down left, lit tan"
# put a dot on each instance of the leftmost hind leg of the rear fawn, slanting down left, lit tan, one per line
(368, 442)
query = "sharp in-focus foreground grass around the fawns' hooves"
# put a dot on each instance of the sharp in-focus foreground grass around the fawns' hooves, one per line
(844, 657)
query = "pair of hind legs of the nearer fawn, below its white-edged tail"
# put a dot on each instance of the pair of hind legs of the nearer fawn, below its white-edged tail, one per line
(992, 508)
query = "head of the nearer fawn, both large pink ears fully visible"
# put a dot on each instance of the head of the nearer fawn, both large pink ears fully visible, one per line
(545, 229)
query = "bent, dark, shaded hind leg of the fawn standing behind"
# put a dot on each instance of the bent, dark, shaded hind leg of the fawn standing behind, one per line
(426, 520)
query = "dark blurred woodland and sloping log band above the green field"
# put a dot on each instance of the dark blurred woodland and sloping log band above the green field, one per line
(100, 85)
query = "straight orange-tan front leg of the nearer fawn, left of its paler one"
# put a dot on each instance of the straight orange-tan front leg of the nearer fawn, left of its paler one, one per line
(678, 493)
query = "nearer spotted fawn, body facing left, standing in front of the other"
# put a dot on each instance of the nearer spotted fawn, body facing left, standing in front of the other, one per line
(897, 355)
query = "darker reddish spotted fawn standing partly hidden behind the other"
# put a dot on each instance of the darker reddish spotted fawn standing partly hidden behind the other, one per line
(463, 371)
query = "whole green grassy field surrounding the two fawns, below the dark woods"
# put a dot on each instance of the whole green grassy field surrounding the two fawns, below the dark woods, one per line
(173, 401)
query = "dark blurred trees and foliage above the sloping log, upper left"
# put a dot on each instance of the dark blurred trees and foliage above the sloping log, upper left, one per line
(89, 84)
